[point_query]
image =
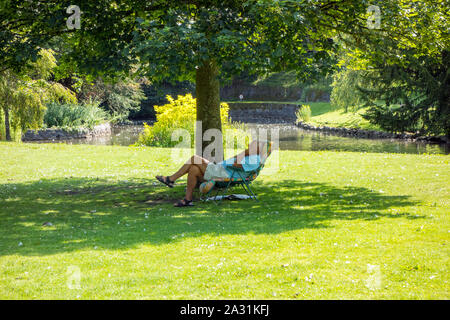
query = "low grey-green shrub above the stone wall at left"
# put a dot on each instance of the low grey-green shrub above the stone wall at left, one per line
(74, 115)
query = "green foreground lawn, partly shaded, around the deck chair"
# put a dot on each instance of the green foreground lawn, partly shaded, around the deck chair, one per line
(330, 225)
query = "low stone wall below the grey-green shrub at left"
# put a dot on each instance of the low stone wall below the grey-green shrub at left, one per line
(64, 134)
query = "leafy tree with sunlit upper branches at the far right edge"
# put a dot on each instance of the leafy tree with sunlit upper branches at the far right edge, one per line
(405, 65)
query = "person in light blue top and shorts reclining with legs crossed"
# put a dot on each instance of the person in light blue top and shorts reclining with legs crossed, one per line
(200, 169)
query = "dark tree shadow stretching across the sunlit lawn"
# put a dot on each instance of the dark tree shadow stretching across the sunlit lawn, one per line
(86, 213)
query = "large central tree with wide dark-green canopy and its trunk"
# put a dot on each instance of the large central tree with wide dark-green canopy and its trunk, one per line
(203, 41)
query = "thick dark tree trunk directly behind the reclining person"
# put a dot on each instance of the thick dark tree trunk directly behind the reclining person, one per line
(208, 109)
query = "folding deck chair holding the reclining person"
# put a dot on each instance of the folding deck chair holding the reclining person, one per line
(238, 177)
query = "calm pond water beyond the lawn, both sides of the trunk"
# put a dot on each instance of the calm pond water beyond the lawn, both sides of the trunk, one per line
(292, 138)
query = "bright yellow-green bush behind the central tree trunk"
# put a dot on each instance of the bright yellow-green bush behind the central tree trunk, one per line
(181, 114)
